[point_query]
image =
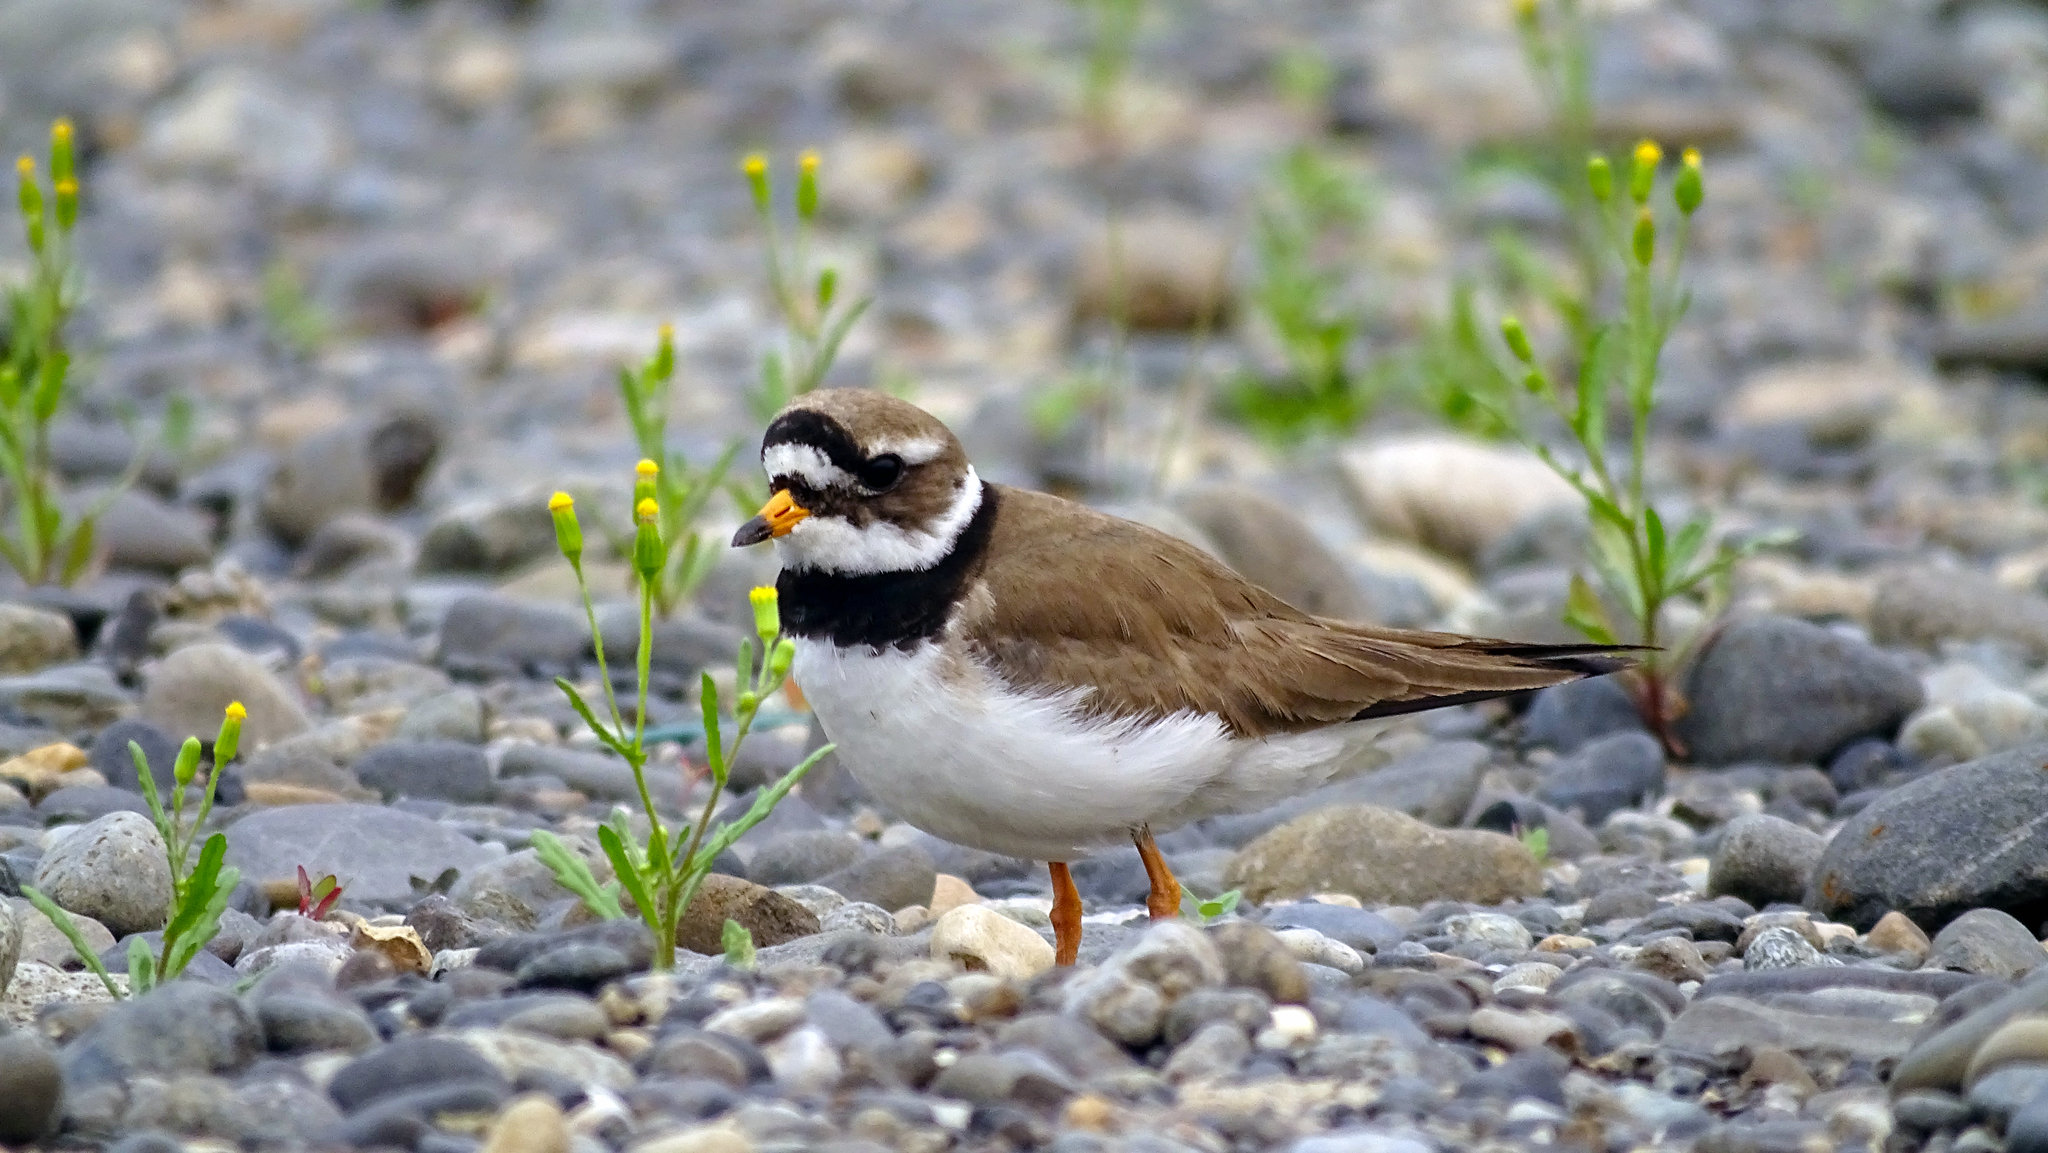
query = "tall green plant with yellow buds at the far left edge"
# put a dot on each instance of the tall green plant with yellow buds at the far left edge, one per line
(46, 542)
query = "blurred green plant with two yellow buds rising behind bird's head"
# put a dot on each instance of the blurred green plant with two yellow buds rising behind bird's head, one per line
(808, 300)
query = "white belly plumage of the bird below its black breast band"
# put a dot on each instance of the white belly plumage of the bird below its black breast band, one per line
(957, 753)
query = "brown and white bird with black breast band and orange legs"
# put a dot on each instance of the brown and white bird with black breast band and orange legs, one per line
(1023, 675)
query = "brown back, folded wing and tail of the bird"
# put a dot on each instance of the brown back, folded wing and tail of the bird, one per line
(1162, 628)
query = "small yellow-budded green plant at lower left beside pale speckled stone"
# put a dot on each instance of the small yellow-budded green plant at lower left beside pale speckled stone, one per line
(198, 894)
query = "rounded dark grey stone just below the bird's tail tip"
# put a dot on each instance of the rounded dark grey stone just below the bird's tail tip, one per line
(1785, 691)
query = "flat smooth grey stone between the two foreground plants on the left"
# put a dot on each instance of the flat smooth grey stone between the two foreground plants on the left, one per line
(382, 855)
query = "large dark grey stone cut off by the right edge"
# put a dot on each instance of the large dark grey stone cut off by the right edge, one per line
(1953, 841)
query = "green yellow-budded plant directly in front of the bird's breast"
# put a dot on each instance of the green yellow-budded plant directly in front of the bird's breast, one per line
(663, 876)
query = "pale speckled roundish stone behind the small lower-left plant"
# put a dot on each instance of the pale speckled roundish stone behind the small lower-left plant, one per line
(112, 871)
